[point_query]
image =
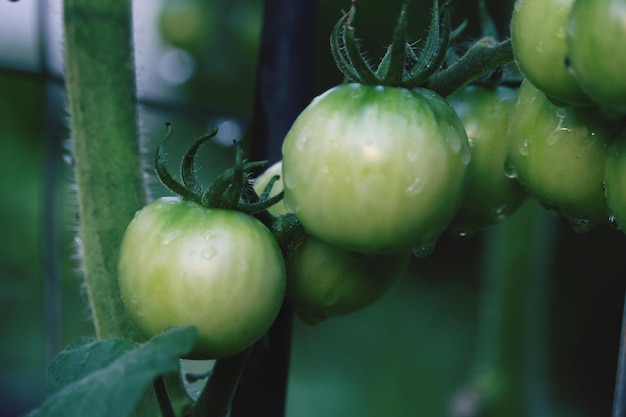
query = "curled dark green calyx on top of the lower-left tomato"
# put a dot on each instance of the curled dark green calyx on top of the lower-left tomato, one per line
(230, 190)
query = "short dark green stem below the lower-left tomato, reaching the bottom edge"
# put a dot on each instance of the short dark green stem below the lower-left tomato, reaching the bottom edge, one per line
(217, 395)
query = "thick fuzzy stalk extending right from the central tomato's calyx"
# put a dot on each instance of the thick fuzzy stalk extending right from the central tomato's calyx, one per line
(483, 57)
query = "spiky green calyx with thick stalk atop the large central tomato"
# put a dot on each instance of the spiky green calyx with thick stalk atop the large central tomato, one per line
(403, 66)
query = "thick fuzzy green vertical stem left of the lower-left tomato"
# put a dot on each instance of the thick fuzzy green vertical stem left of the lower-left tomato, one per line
(100, 82)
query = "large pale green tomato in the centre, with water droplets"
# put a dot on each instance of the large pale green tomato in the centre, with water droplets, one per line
(375, 169)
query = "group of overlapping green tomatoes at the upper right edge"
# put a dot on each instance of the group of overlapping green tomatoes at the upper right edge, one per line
(564, 133)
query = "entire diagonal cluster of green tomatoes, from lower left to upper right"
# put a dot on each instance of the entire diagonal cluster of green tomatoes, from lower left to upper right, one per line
(377, 168)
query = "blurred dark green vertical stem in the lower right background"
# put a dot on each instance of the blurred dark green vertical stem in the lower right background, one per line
(509, 371)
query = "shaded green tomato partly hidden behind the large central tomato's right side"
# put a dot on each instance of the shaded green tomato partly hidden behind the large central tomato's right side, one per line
(491, 195)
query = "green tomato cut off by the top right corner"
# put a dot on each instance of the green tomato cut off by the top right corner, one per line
(596, 37)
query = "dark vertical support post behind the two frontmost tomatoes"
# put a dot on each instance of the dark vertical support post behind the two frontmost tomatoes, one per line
(284, 79)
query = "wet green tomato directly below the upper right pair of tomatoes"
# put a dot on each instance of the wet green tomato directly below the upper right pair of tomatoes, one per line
(559, 155)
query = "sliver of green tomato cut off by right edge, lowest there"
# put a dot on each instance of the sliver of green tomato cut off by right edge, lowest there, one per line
(615, 180)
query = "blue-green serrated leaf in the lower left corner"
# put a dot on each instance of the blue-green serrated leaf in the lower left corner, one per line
(107, 378)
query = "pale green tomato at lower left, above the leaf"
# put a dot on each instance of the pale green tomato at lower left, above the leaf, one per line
(220, 270)
